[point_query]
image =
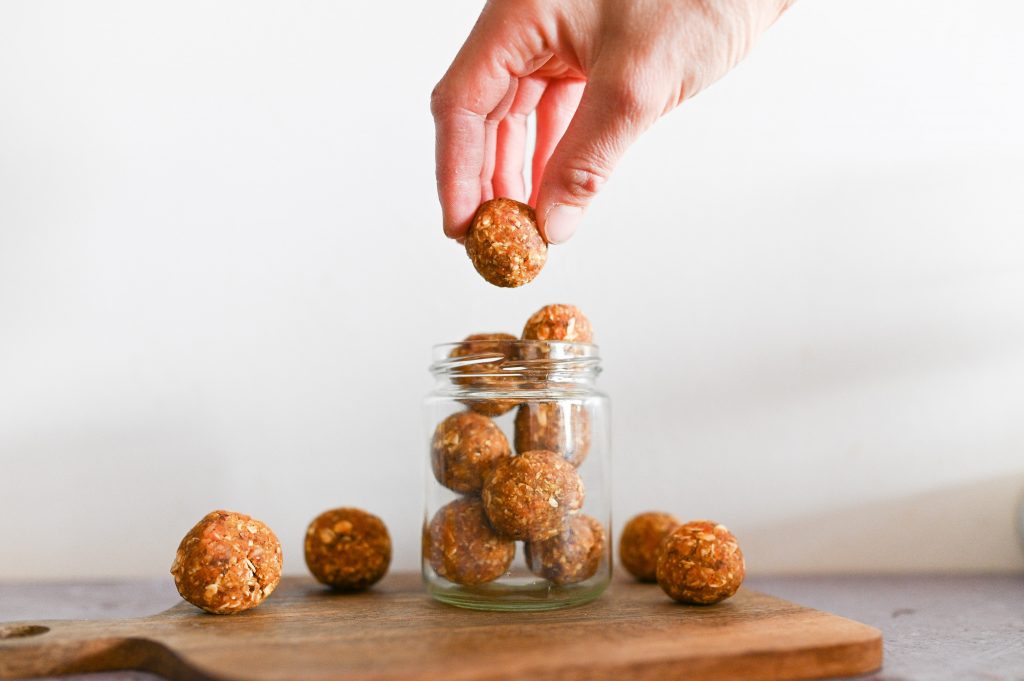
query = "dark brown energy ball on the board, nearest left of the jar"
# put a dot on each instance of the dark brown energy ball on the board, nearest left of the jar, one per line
(348, 549)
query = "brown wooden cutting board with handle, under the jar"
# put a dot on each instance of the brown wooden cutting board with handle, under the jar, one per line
(397, 633)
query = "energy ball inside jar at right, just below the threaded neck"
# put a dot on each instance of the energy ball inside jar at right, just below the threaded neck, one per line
(561, 428)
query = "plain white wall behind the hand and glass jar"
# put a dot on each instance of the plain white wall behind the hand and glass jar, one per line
(222, 271)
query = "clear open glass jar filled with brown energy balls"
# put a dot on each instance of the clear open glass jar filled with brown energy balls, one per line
(519, 498)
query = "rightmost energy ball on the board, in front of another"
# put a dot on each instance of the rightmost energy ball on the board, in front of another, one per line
(701, 563)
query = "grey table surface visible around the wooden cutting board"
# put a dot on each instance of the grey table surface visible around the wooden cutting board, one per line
(937, 628)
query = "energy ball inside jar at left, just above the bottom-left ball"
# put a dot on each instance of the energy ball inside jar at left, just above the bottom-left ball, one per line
(466, 447)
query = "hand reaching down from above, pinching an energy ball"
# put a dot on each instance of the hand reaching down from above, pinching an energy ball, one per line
(598, 73)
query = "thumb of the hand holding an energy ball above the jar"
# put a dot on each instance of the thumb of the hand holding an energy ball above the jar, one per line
(612, 115)
